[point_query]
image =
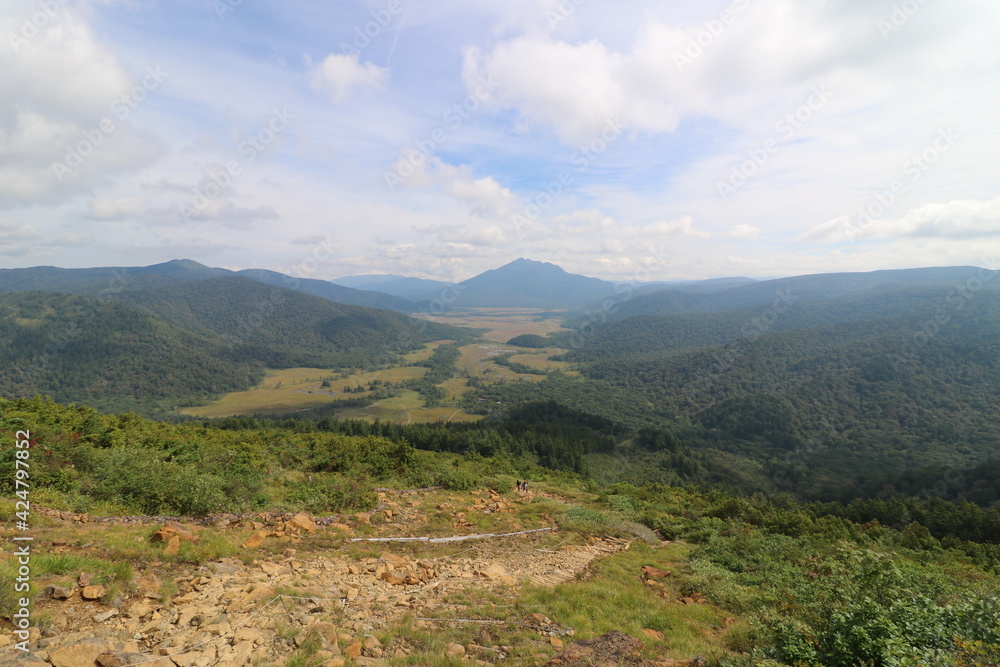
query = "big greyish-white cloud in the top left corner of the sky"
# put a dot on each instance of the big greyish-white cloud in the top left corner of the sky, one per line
(68, 85)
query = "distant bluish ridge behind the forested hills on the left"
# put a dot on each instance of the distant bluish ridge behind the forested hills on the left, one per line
(112, 280)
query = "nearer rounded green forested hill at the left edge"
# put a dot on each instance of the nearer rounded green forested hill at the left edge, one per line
(109, 355)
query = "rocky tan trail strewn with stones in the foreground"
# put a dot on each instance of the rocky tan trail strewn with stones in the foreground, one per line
(260, 610)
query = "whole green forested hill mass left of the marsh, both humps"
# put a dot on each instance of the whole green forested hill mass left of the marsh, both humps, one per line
(182, 343)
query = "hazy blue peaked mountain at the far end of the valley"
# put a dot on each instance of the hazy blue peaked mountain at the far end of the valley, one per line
(524, 283)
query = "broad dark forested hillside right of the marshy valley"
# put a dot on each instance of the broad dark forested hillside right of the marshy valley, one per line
(879, 393)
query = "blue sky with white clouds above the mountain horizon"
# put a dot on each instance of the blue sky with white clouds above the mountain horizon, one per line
(627, 141)
